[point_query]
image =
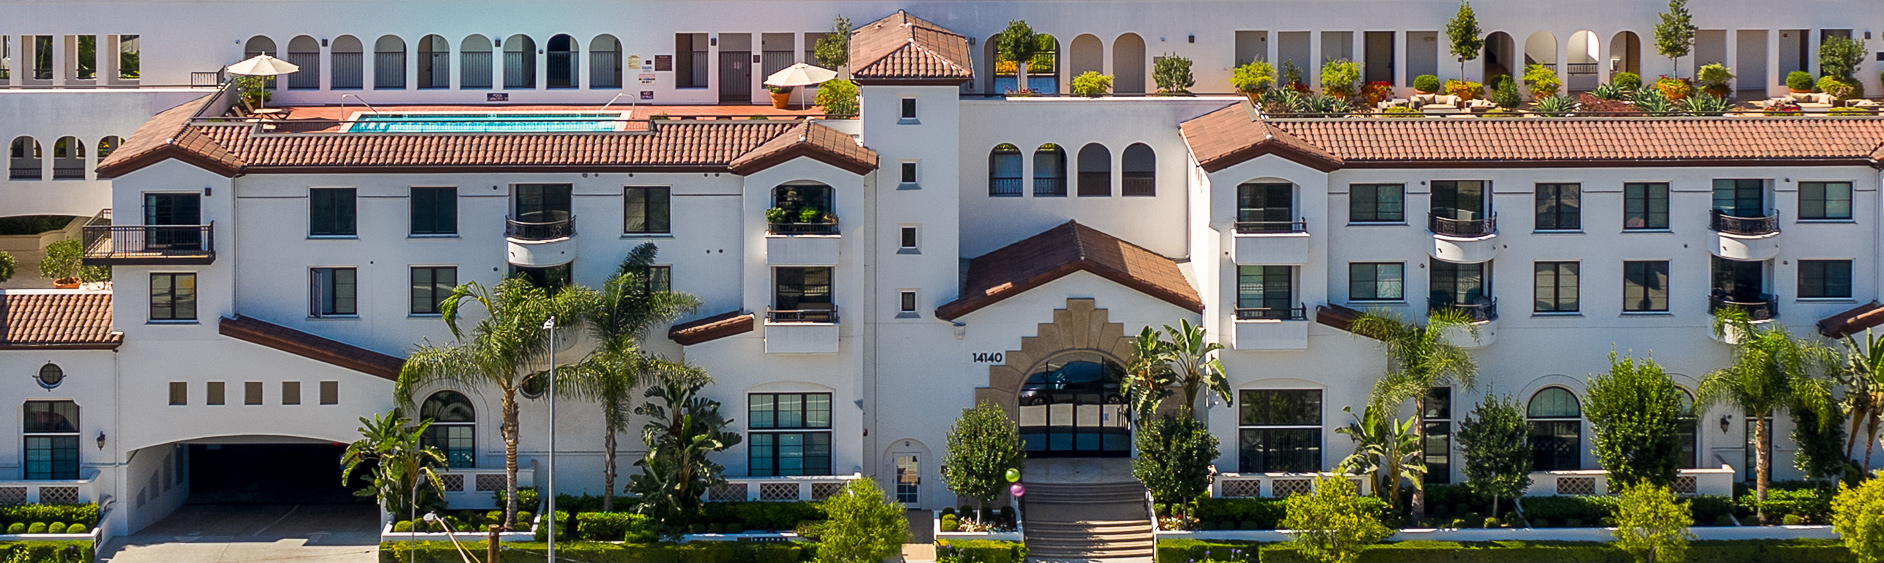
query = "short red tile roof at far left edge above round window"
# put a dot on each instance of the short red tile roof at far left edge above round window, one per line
(57, 321)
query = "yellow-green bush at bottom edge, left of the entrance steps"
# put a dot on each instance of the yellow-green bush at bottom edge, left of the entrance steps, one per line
(864, 526)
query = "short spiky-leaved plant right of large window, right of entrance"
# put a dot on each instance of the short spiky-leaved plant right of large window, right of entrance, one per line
(1388, 449)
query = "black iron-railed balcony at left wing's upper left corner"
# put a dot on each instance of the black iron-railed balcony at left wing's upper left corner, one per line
(148, 244)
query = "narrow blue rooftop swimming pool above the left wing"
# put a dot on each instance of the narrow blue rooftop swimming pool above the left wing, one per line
(485, 123)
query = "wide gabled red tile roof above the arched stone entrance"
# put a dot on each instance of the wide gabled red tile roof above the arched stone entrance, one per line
(1062, 251)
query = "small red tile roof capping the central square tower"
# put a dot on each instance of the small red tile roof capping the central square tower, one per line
(903, 48)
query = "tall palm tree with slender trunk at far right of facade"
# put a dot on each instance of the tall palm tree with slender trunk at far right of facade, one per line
(1770, 370)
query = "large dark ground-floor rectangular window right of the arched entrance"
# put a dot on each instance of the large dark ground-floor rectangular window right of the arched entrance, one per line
(1280, 432)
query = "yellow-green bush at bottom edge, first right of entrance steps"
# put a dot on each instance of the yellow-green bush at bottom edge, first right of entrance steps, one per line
(1333, 524)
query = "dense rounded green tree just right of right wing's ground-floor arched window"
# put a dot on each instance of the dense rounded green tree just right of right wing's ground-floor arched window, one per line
(1634, 410)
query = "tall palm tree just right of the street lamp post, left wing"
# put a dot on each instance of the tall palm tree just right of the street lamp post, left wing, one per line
(630, 306)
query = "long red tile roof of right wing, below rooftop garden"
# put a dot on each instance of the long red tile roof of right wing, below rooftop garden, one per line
(1235, 135)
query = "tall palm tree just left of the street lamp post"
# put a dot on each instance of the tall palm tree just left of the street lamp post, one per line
(498, 353)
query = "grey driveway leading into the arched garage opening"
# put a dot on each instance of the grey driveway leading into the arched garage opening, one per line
(310, 534)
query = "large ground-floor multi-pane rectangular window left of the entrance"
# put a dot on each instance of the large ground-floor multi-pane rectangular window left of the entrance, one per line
(804, 451)
